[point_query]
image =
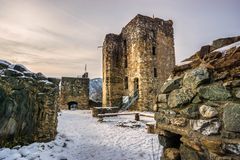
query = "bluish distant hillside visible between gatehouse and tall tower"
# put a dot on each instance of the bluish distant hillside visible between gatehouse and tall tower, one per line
(95, 91)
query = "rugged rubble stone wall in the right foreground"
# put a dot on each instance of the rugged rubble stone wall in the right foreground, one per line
(198, 110)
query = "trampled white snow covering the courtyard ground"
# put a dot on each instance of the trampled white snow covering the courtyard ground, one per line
(81, 137)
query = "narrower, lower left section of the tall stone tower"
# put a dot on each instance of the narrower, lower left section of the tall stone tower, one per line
(112, 70)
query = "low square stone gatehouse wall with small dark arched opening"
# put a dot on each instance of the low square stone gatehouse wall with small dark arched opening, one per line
(74, 90)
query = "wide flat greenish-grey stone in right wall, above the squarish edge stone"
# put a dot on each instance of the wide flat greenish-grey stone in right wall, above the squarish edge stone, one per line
(215, 92)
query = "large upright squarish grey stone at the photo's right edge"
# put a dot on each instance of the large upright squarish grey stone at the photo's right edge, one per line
(231, 117)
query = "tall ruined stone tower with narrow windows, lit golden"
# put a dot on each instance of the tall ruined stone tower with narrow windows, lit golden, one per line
(139, 59)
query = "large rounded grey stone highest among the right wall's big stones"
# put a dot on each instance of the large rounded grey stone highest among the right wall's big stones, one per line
(195, 77)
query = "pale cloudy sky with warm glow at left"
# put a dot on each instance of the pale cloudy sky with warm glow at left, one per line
(58, 37)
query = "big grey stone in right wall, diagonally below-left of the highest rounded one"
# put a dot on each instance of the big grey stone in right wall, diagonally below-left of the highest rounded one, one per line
(179, 97)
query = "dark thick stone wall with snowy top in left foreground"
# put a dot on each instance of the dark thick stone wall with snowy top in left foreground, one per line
(28, 106)
